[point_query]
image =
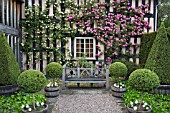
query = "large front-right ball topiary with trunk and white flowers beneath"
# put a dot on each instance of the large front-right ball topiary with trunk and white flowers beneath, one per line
(143, 80)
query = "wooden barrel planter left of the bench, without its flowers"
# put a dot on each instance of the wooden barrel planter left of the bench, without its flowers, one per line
(51, 92)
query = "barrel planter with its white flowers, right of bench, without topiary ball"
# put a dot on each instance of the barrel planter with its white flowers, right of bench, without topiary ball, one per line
(118, 90)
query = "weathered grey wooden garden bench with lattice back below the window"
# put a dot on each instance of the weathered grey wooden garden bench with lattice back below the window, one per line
(85, 75)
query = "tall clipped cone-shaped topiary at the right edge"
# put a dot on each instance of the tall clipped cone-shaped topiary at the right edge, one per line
(159, 56)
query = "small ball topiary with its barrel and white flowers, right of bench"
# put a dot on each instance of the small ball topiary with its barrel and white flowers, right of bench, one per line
(118, 70)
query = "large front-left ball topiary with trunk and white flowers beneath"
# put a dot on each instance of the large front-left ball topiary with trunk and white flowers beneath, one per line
(32, 81)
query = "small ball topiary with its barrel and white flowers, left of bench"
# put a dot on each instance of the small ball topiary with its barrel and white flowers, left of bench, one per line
(53, 71)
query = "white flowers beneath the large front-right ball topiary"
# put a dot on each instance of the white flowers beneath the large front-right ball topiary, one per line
(135, 106)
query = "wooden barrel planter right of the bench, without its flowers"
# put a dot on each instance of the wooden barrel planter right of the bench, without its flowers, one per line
(118, 92)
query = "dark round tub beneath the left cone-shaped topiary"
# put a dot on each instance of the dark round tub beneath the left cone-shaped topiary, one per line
(8, 89)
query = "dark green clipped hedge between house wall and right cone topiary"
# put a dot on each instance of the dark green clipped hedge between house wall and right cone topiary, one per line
(145, 46)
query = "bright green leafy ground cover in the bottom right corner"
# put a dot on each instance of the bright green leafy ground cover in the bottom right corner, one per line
(159, 103)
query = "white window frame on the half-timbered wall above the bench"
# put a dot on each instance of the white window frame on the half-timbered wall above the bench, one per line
(94, 47)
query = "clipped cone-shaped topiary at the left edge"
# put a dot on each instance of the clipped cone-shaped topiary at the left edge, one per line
(9, 68)
